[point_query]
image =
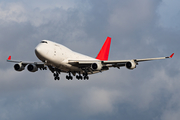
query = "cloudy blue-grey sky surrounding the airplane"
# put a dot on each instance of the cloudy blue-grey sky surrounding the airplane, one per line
(139, 29)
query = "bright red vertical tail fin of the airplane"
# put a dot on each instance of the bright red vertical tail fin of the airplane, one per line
(104, 52)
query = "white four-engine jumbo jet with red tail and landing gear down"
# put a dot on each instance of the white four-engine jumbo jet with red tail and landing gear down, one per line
(59, 58)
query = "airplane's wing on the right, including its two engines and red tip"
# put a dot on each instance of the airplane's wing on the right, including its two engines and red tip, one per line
(97, 65)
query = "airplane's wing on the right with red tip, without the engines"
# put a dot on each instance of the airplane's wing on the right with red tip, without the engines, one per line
(111, 63)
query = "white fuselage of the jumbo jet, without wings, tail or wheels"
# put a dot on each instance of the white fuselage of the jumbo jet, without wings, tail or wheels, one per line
(57, 55)
